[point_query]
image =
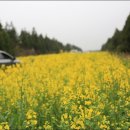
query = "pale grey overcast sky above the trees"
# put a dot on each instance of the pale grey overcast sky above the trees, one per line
(87, 24)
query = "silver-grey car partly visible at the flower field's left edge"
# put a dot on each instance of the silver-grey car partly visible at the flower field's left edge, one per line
(7, 59)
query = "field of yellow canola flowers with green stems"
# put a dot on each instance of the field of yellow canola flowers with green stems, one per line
(67, 91)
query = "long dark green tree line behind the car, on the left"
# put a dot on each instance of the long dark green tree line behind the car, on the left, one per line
(28, 43)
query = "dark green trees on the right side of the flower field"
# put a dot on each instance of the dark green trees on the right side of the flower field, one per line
(120, 41)
